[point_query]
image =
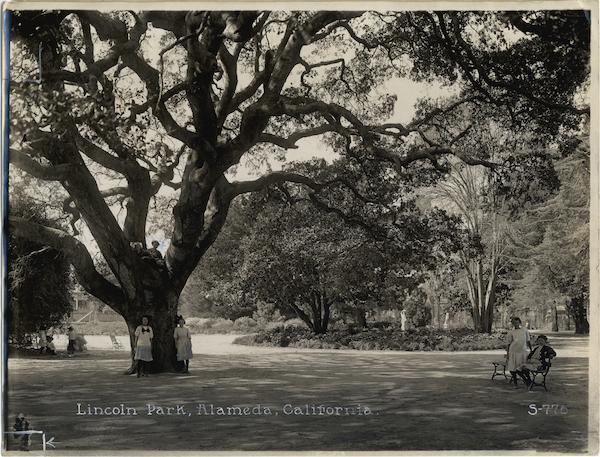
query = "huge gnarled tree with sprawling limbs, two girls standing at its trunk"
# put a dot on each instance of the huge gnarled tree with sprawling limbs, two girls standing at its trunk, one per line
(227, 85)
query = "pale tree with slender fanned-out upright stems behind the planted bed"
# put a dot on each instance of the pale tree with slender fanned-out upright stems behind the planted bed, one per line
(489, 198)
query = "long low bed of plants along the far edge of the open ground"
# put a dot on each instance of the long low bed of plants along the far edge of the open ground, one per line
(379, 337)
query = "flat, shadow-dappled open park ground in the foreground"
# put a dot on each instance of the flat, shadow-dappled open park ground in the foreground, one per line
(420, 401)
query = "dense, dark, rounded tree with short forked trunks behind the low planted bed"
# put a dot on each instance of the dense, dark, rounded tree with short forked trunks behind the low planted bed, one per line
(310, 261)
